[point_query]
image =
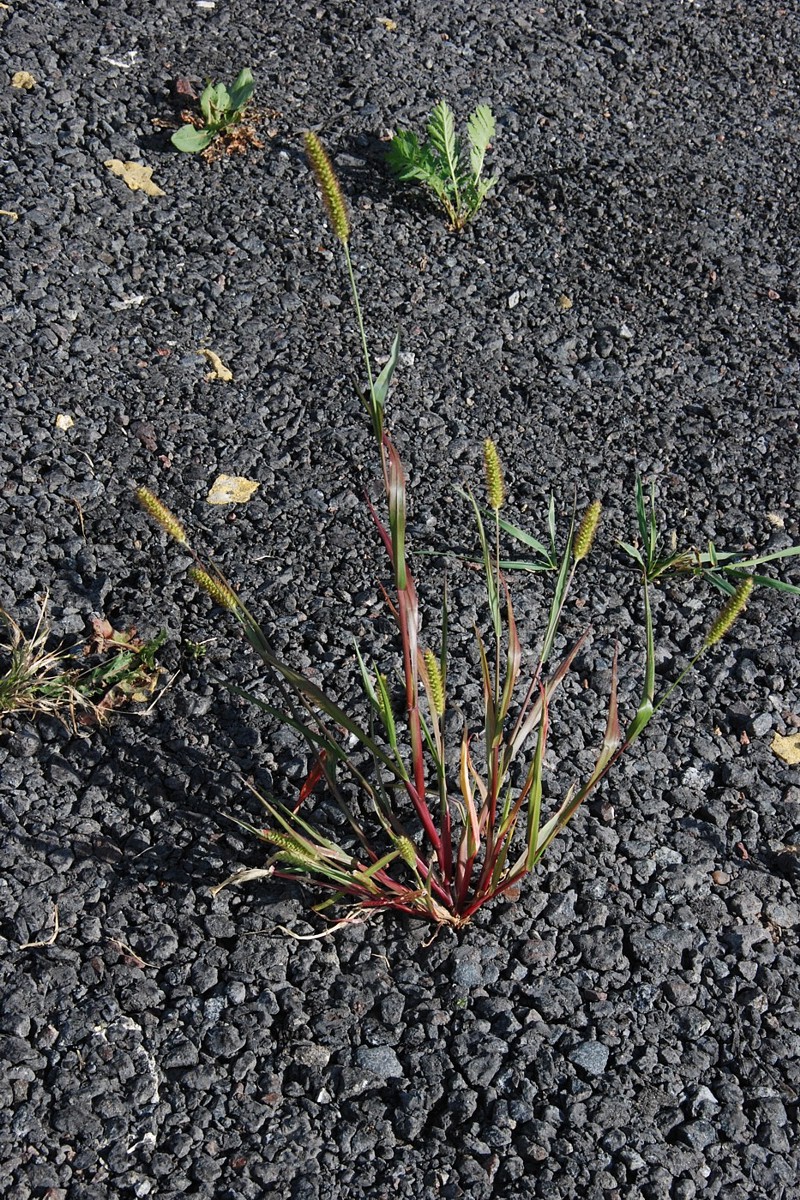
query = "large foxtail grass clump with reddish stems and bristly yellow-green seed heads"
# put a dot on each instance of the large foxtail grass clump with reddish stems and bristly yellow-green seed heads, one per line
(436, 835)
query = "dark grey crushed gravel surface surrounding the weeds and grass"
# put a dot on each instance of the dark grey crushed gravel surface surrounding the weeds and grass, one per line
(625, 303)
